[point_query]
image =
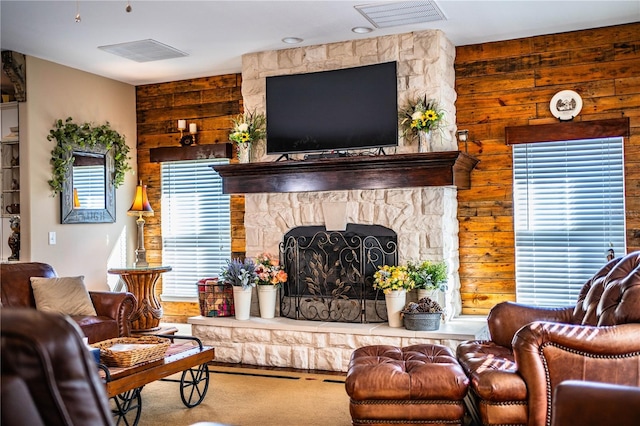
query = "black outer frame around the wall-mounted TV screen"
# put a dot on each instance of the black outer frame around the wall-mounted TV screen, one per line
(391, 144)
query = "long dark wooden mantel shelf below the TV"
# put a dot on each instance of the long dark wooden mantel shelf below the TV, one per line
(344, 173)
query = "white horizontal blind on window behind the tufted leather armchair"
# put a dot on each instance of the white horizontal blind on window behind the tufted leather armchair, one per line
(568, 212)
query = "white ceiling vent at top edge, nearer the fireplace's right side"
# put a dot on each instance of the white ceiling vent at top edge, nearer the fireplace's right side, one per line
(384, 15)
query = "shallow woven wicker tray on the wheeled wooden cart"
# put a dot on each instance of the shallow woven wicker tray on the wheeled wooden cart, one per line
(151, 349)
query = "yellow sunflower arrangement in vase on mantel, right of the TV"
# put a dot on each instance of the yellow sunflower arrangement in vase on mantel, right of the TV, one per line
(421, 117)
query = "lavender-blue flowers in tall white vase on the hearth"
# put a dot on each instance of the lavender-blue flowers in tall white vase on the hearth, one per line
(241, 274)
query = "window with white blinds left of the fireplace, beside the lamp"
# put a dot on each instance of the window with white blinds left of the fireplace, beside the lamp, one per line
(196, 226)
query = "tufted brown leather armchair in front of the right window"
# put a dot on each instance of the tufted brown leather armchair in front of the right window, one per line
(515, 374)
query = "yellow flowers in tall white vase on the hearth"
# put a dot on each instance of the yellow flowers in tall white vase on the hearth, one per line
(394, 281)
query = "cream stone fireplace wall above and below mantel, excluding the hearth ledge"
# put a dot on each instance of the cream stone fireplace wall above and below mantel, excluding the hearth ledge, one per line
(424, 218)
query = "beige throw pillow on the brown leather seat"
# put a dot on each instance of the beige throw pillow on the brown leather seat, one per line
(62, 295)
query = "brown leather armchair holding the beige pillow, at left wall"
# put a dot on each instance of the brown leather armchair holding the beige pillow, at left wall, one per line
(113, 309)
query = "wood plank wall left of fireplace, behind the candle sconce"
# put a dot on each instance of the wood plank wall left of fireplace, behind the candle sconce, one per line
(209, 102)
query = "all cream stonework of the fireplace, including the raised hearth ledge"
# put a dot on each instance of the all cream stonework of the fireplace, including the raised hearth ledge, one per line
(425, 219)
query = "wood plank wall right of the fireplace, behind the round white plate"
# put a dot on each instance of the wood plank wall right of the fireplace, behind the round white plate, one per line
(510, 83)
